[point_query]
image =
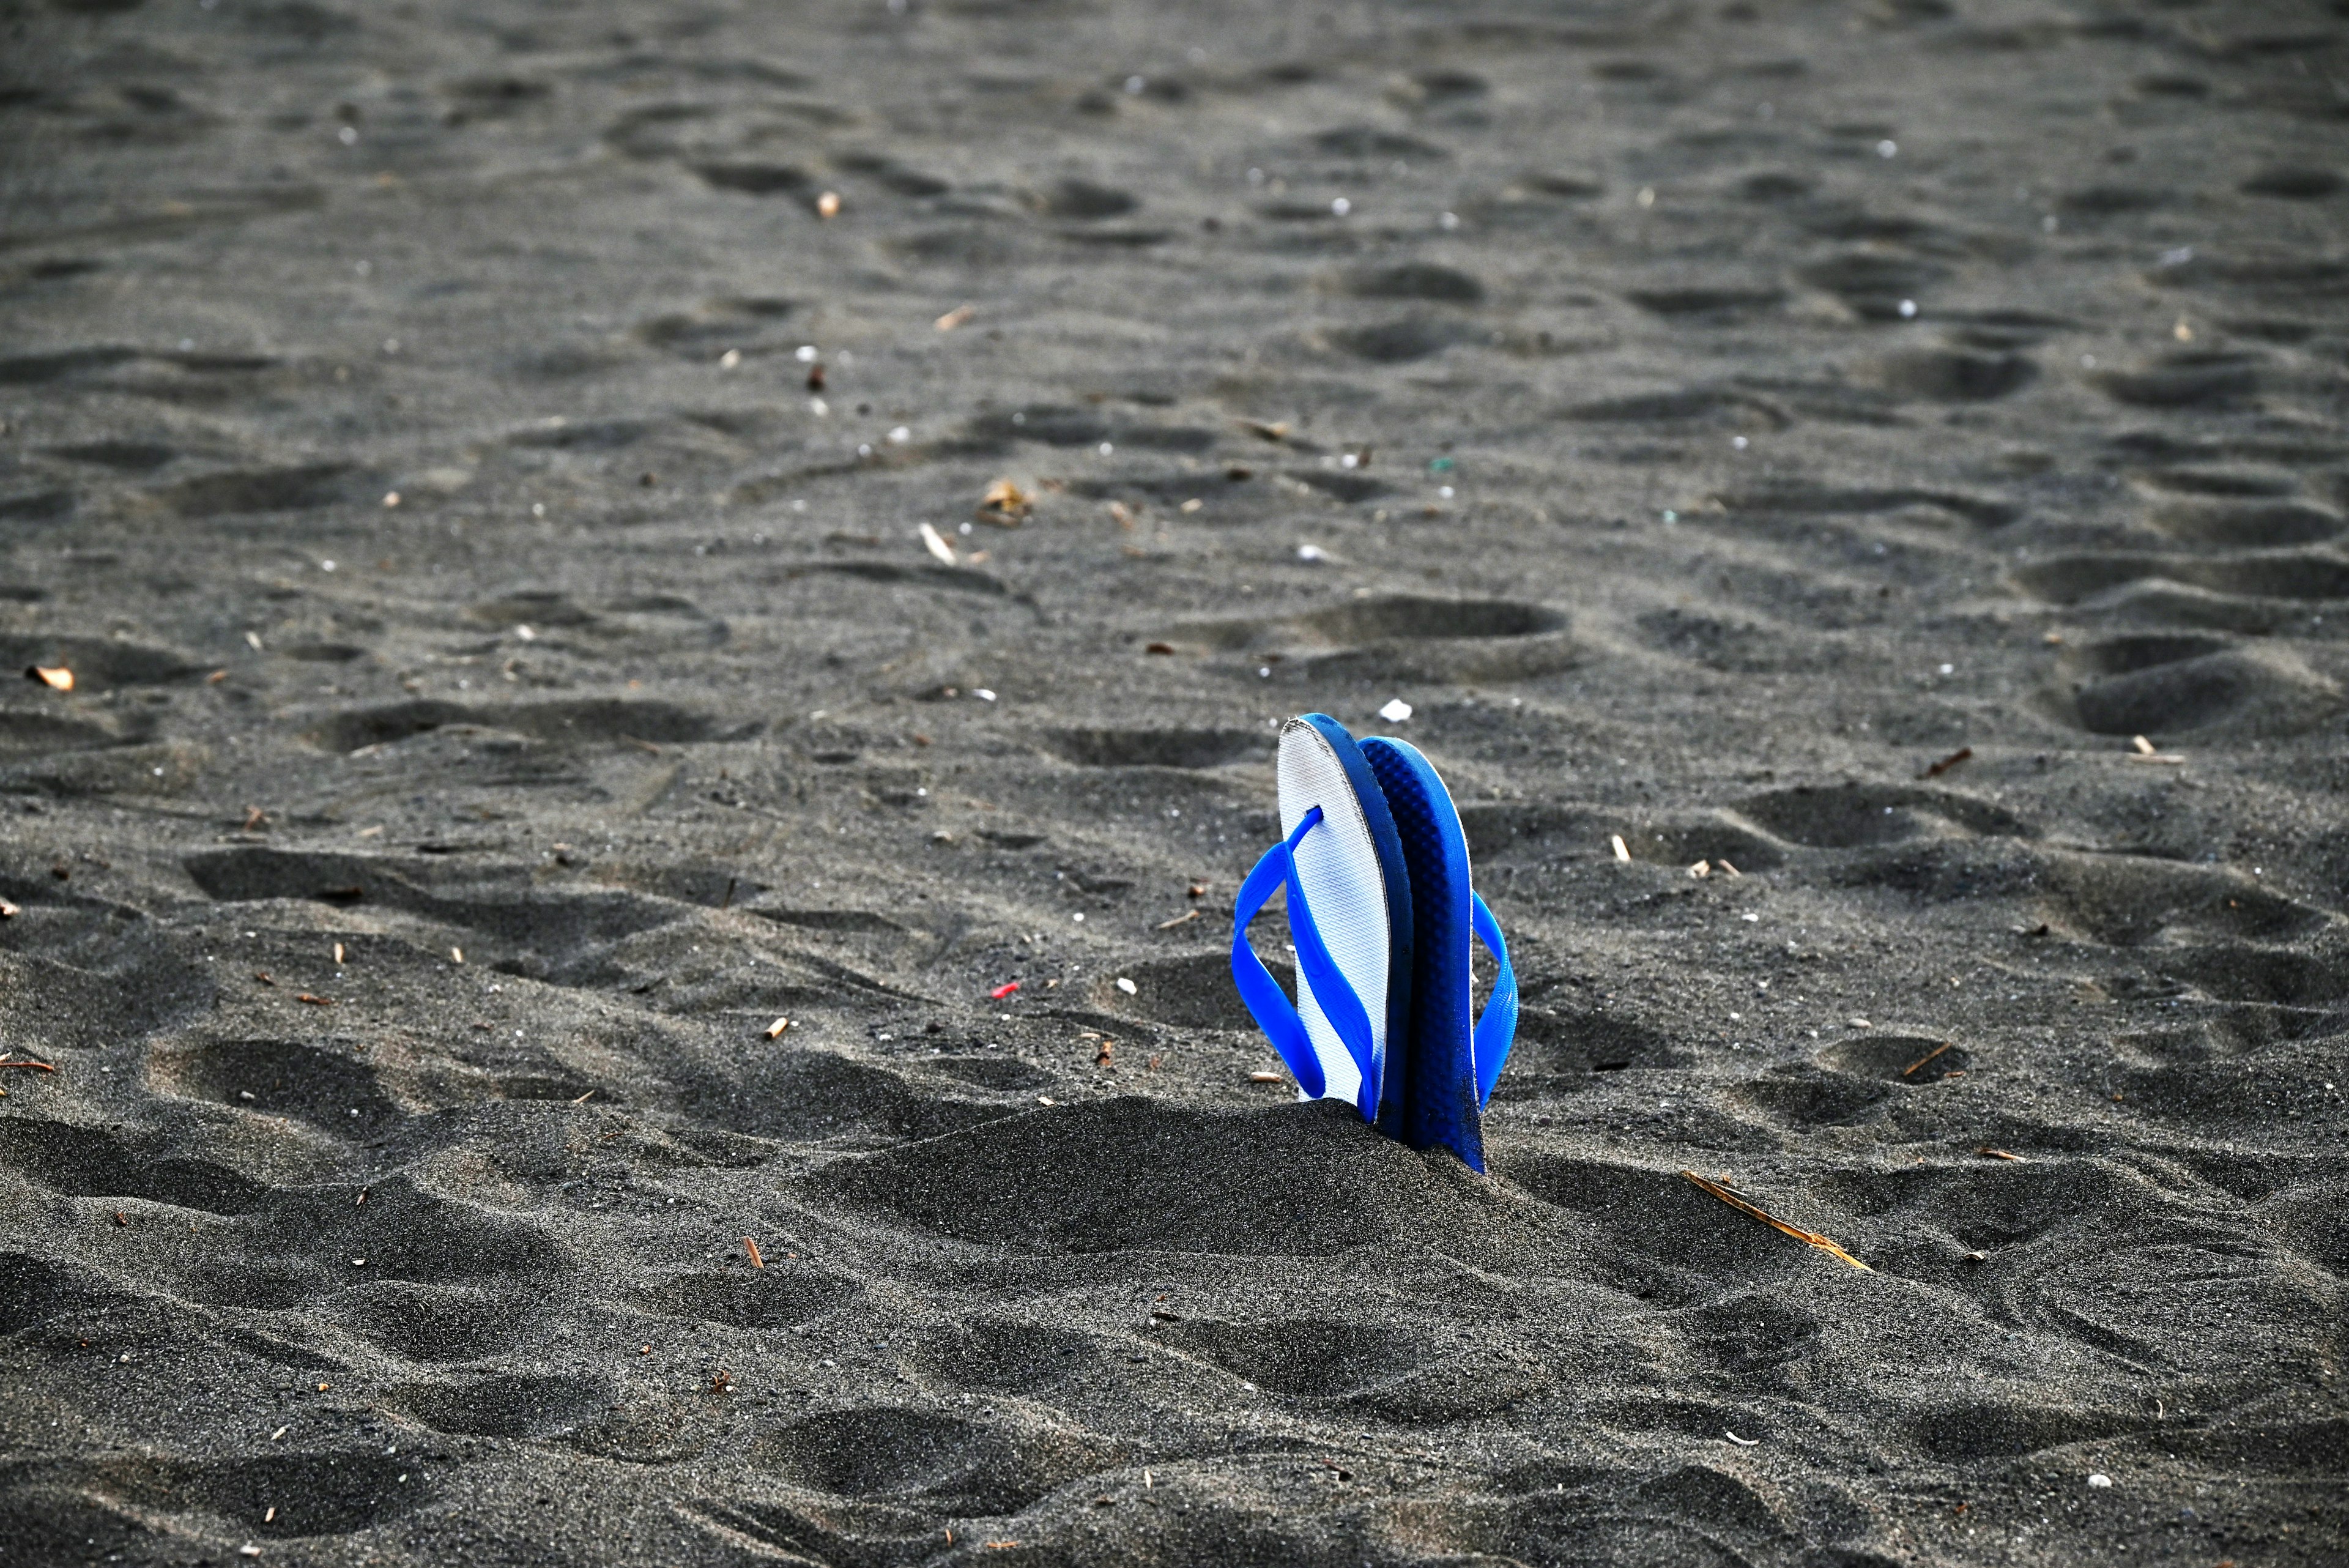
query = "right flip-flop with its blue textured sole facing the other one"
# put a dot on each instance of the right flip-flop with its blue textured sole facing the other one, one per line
(1455, 1057)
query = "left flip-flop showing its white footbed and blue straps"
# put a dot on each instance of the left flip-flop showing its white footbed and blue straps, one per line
(1350, 899)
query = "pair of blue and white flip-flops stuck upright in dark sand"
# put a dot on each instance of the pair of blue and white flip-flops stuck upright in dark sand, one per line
(1382, 911)
